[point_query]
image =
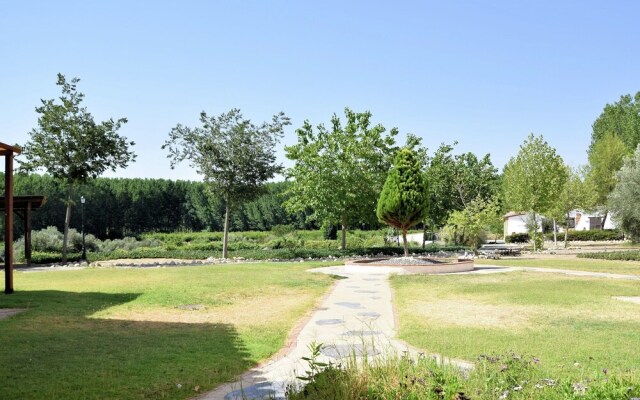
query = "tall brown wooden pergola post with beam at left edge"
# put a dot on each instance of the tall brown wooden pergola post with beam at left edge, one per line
(8, 152)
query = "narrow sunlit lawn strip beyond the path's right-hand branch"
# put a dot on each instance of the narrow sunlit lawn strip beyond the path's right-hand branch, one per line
(581, 264)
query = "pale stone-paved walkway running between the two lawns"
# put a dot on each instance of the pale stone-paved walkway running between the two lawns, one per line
(355, 318)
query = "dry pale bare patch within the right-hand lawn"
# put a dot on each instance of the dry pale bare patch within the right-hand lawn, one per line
(469, 313)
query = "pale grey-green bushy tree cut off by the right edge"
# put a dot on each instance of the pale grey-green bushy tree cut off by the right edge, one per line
(623, 200)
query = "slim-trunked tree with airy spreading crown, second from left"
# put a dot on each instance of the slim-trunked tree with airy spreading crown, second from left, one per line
(235, 156)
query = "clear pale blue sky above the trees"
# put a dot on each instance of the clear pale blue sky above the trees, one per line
(484, 73)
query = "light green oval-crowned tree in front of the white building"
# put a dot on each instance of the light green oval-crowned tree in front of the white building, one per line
(534, 179)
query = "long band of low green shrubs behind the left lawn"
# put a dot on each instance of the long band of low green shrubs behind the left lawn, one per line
(284, 243)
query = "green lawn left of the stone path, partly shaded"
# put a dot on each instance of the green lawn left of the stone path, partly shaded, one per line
(147, 332)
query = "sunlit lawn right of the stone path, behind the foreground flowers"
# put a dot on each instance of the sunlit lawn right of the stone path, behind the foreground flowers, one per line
(561, 320)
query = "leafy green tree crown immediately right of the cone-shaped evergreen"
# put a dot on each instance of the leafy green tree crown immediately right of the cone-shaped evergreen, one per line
(457, 180)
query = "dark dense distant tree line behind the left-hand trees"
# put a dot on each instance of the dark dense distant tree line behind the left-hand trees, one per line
(118, 207)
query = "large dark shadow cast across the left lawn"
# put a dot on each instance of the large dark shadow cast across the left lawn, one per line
(54, 350)
